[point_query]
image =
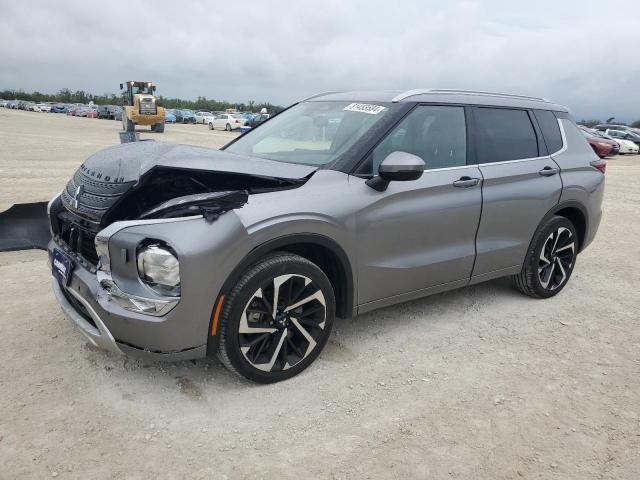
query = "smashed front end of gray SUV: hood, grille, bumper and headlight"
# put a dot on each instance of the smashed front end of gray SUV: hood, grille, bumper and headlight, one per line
(143, 239)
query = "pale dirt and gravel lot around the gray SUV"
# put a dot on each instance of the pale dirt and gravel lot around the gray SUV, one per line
(480, 383)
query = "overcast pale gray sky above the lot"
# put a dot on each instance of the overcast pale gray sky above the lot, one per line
(580, 53)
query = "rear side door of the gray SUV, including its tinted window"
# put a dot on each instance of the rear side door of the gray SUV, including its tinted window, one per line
(521, 183)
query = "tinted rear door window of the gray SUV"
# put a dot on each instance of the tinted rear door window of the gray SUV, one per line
(505, 134)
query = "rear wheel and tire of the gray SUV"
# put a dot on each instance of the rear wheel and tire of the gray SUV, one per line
(550, 259)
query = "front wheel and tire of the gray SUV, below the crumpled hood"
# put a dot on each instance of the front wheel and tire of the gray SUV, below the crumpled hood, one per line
(277, 319)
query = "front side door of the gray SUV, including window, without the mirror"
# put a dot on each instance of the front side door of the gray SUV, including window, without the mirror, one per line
(419, 234)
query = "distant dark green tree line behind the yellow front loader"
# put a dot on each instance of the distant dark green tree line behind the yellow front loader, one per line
(66, 95)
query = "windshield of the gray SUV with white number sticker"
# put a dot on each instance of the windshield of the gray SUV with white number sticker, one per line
(311, 133)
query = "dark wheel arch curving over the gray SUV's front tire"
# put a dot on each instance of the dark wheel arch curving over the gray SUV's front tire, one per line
(319, 249)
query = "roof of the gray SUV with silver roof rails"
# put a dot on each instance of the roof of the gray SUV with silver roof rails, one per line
(432, 95)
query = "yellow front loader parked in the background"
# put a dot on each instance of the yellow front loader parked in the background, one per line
(140, 106)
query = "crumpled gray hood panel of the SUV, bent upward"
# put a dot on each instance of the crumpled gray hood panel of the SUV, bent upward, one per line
(130, 161)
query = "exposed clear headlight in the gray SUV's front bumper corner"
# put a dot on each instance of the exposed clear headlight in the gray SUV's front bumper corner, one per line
(159, 267)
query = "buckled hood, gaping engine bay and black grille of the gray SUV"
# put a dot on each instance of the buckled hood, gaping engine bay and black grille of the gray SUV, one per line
(126, 183)
